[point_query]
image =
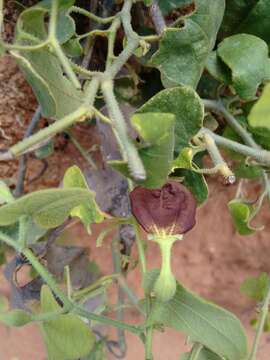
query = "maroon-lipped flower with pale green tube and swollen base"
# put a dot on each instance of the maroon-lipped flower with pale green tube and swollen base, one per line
(165, 214)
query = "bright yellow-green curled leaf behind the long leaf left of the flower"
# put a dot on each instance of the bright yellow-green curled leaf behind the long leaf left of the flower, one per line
(88, 211)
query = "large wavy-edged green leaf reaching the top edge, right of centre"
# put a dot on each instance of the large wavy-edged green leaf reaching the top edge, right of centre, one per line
(183, 52)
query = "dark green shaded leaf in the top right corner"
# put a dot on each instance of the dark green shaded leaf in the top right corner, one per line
(257, 22)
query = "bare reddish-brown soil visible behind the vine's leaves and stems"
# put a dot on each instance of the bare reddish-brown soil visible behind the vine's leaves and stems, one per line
(212, 260)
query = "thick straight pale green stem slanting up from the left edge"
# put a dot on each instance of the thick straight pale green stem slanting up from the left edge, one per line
(49, 131)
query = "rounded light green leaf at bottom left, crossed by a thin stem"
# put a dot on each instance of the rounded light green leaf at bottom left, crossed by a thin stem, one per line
(66, 337)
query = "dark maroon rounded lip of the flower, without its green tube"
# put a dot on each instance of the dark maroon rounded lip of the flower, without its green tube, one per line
(170, 209)
